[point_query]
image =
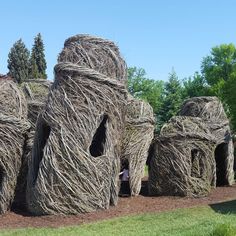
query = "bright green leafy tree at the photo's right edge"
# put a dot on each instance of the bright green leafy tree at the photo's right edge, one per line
(219, 70)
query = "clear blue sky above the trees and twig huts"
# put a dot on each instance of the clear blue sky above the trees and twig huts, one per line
(155, 35)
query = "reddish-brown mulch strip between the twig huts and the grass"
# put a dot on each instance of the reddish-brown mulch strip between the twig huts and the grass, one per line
(126, 206)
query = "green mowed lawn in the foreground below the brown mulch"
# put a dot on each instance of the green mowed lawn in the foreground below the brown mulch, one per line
(217, 220)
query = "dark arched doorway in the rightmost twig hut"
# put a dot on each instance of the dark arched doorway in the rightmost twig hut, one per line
(221, 153)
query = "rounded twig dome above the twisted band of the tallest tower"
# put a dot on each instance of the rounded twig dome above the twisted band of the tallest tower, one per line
(95, 53)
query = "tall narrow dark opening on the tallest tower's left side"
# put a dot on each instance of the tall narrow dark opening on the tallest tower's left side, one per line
(44, 131)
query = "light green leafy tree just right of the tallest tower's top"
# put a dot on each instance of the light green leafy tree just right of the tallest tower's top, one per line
(147, 89)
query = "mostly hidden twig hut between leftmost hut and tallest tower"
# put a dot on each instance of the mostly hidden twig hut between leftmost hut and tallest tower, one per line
(36, 93)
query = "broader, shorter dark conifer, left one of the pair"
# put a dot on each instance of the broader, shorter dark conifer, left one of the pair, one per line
(18, 61)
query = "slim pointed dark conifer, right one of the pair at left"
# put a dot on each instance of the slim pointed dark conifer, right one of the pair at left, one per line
(38, 63)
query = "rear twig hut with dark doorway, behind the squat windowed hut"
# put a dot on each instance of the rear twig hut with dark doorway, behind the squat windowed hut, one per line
(211, 110)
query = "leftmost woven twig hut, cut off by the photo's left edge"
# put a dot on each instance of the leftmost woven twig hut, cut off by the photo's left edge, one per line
(13, 129)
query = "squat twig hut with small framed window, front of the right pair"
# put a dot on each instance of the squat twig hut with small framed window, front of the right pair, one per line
(182, 161)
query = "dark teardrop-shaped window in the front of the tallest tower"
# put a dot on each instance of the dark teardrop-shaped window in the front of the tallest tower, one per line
(99, 139)
